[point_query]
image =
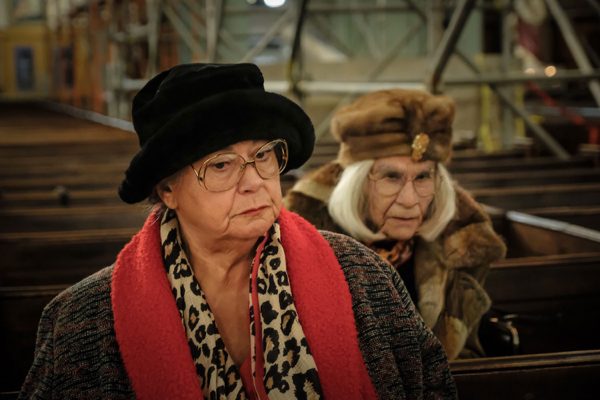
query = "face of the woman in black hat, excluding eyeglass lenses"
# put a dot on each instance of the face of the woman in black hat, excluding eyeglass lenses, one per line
(246, 211)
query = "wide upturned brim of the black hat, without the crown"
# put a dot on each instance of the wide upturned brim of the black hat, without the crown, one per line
(213, 124)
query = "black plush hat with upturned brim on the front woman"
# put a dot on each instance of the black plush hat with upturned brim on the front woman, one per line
(192, 110)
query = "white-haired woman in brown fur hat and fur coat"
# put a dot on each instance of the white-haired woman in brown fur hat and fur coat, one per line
(390, 190)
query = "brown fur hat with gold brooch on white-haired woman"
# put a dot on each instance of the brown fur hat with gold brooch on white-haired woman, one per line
(395, 122)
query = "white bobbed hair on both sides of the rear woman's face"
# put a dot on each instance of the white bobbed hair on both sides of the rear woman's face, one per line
(347, 204)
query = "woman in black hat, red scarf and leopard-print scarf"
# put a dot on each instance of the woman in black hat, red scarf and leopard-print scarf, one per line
(223, 294)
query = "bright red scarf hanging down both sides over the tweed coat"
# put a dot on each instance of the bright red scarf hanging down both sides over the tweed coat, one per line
(152, 339)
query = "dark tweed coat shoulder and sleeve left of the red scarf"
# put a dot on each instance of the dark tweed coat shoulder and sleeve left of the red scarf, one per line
(77, 355)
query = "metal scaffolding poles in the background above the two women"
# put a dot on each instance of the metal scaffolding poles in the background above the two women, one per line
(200, 27)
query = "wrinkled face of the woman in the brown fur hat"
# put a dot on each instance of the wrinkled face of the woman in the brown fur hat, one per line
(399, 215)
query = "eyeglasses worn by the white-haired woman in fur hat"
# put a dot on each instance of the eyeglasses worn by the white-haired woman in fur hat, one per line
(391, 183)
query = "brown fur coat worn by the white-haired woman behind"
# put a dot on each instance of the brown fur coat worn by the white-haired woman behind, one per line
(449, 272)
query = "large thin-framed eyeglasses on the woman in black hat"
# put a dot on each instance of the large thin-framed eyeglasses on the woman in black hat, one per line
(223, 171)
